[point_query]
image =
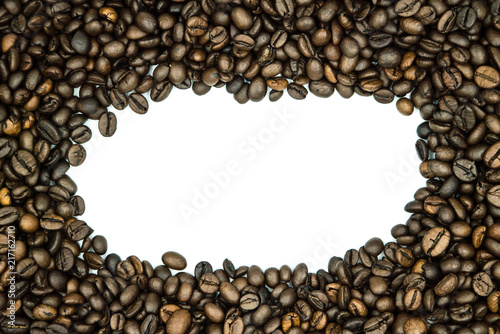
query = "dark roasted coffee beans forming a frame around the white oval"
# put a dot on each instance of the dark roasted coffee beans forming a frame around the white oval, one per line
(65, 62)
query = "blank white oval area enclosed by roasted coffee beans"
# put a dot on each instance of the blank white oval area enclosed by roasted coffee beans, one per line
(336, 174)
